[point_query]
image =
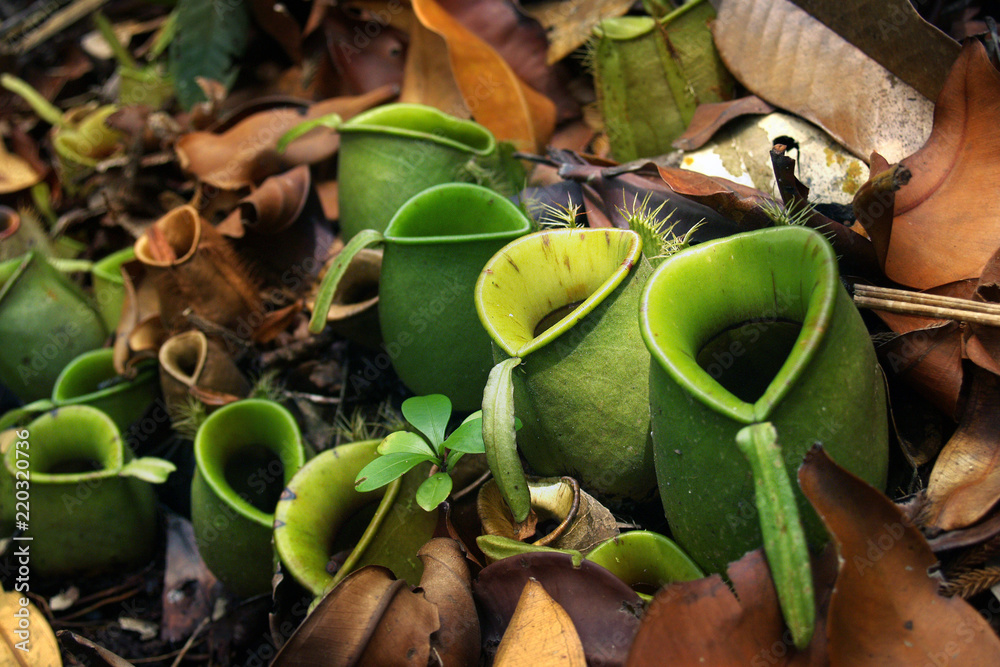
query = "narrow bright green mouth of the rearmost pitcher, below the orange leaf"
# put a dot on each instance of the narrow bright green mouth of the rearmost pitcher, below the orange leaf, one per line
(416, 121)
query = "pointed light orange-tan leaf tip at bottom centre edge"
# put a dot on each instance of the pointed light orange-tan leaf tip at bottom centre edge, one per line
(540, 633)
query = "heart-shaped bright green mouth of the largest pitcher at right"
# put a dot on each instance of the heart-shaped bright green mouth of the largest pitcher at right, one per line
(794, 280)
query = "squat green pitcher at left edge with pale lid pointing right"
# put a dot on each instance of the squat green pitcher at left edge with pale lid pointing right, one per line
(87, 502)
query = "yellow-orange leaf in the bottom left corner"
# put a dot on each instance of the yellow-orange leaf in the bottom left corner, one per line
(26, 640)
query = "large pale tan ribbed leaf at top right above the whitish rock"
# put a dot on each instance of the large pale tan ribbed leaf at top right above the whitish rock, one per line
(793, 61)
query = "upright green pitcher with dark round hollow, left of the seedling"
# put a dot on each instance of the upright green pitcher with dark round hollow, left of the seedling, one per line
(245, 454)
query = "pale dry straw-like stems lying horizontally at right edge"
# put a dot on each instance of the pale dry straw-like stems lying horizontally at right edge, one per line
(927, 305)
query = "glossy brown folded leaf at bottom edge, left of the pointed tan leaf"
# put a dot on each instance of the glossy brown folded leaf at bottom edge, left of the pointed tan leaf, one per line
(369, 618)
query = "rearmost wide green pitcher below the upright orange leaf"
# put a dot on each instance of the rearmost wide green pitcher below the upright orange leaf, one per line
(394, 151)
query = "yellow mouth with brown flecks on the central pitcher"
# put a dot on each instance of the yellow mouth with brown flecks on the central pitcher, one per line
(537, 275)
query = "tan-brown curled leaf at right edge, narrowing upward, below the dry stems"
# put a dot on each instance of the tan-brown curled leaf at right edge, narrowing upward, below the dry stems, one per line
(965, 482)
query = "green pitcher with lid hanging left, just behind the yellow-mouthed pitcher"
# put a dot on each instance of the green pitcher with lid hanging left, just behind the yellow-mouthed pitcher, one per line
(435, 247)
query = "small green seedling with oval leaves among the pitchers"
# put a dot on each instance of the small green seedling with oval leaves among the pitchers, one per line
(401, 451)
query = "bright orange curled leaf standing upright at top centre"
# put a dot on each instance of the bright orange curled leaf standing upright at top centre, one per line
(496, 96)
